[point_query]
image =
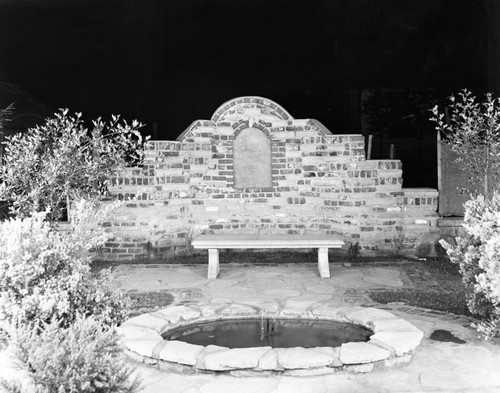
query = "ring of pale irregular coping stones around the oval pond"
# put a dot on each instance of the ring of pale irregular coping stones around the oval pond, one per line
(393, 342)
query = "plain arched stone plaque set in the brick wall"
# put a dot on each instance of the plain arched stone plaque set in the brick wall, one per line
(252, 159)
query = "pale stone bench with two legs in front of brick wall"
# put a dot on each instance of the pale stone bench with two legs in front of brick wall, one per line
(215, 242)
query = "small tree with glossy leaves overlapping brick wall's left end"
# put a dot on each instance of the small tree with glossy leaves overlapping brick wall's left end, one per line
(63, 161)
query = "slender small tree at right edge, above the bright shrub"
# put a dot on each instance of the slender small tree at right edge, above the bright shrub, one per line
(473, 133)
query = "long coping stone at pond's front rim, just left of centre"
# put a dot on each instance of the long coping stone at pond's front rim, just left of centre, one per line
(236, 358)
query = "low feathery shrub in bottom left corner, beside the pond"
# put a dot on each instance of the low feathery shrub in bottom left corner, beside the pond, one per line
(84, 357)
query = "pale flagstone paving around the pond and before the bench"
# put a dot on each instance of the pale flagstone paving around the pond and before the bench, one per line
(435, 367)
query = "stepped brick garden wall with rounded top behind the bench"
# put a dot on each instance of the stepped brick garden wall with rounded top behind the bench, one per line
(253, 168)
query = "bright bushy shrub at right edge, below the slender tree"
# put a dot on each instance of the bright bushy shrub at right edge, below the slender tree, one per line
(478, 255)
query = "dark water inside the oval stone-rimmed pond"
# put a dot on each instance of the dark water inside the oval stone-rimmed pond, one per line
(277, 333)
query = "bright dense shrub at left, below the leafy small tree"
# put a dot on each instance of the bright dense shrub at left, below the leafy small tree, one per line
(45, 273)
